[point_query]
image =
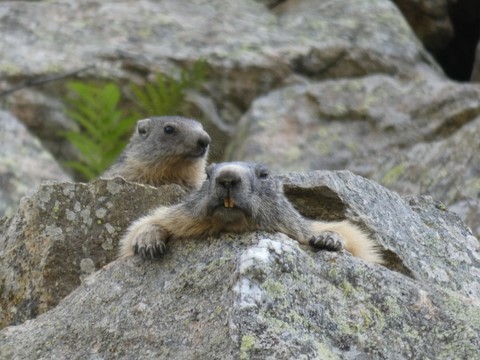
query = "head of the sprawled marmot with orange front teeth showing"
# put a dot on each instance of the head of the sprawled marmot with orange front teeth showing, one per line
(239, 191)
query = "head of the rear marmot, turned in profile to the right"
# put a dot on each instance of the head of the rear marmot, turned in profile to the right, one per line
(169, 139)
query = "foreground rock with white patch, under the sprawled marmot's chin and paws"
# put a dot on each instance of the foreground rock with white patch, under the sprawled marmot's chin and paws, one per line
(250, 297)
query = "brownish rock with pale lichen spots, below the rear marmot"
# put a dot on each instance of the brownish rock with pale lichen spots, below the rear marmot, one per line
(60, 234)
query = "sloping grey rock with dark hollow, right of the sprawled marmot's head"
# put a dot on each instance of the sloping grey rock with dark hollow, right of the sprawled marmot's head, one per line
(421, 237)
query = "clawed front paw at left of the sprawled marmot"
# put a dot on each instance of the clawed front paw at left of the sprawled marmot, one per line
(148, 241)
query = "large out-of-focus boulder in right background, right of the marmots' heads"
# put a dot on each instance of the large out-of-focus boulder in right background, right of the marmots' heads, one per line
(416, 137)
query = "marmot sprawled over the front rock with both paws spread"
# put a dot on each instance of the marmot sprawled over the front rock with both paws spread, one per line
(240, 197)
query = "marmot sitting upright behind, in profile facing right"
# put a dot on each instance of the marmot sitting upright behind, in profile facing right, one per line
(164, 150)
